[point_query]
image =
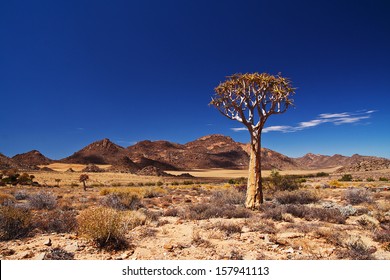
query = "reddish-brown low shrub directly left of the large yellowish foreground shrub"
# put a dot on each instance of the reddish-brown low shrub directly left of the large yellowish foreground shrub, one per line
(56, 221)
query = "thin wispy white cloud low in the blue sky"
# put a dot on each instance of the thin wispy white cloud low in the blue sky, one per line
(334, 118)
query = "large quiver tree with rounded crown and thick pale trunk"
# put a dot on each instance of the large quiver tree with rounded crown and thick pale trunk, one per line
(250, 99)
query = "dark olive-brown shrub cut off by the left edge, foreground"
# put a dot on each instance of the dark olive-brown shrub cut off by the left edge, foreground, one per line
(14, 222)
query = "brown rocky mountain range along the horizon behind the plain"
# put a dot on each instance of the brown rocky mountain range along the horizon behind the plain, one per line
(212, 151)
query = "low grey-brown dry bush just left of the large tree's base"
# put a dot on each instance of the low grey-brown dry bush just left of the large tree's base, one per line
(202, 211)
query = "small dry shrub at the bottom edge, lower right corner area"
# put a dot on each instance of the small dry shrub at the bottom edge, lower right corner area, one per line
(357, 250)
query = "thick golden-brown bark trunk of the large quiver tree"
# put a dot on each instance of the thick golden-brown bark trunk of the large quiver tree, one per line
(254, 193)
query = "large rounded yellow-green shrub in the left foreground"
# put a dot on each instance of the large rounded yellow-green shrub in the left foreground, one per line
(105, 226)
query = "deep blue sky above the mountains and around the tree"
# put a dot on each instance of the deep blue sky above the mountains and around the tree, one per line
(73, 72)
